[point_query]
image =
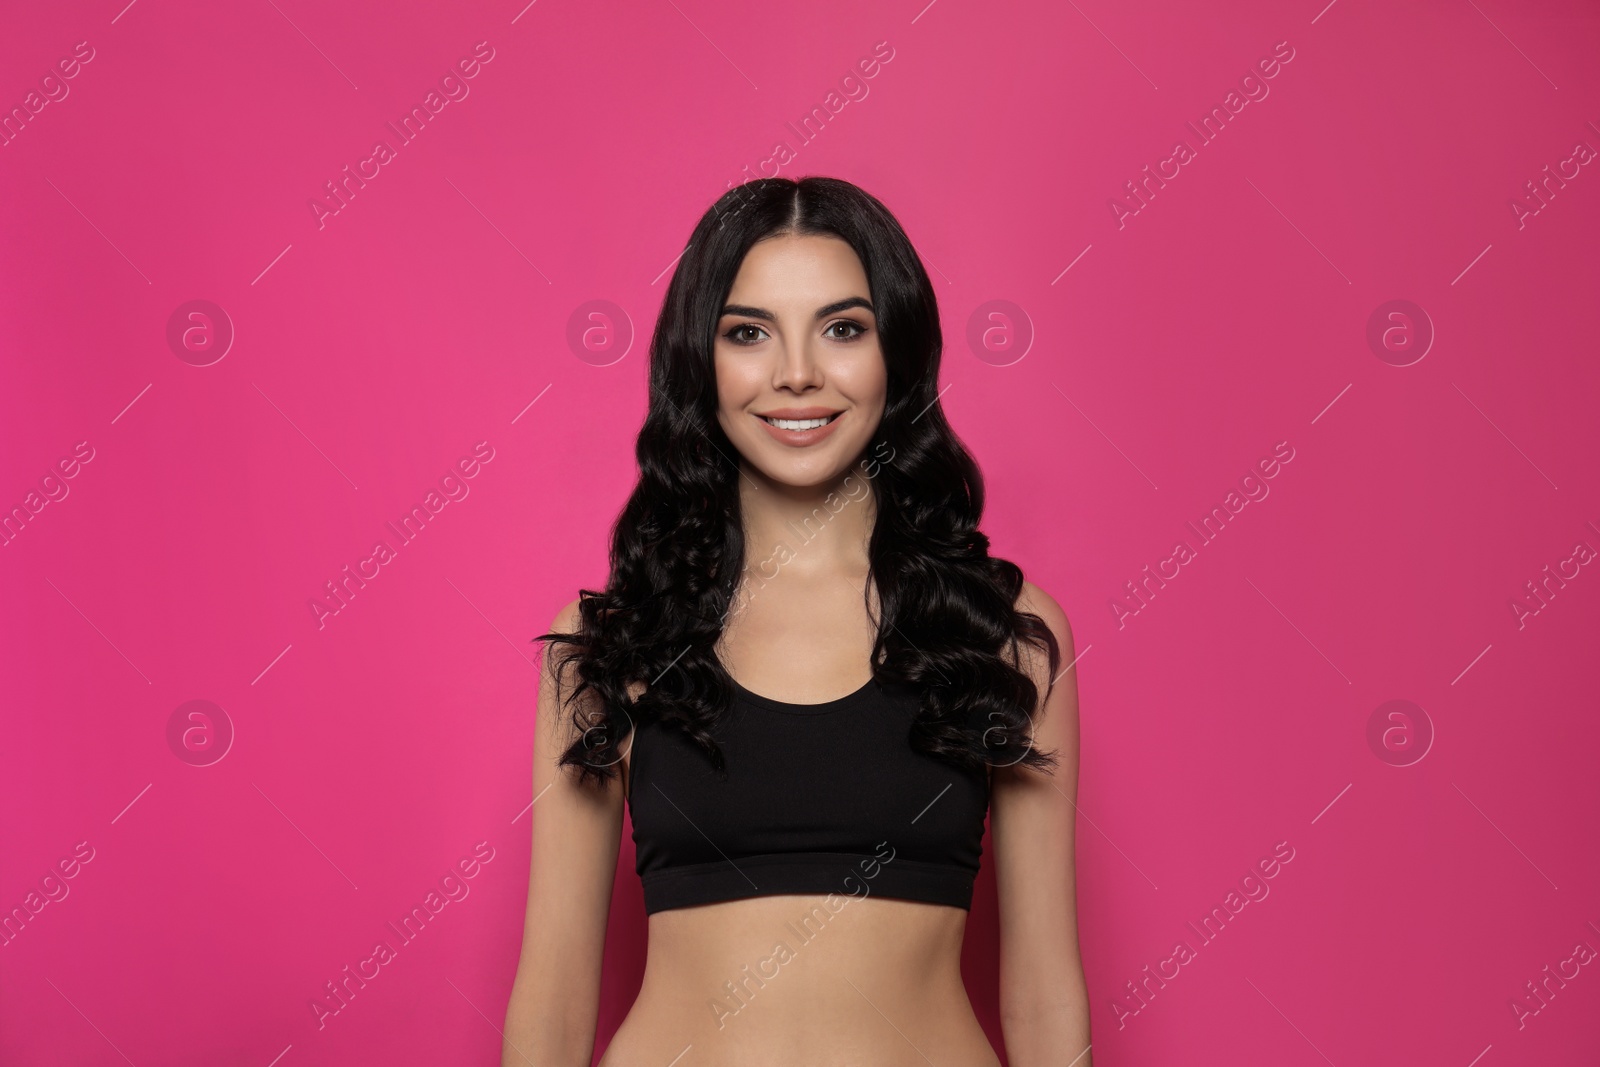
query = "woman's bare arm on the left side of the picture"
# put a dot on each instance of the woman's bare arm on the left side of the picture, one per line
(556, 999)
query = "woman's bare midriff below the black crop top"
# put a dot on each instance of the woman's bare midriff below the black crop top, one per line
(804, 981)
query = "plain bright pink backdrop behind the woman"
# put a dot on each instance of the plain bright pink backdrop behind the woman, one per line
(1231, 713)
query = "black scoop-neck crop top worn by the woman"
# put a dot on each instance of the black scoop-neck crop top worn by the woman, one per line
(820, 799)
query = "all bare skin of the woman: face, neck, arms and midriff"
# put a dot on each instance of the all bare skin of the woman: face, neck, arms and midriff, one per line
(881, 986)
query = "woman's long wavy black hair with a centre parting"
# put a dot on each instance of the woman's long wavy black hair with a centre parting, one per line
(946, 618)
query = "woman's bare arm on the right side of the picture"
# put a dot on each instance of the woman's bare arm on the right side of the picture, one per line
(1044, 1001)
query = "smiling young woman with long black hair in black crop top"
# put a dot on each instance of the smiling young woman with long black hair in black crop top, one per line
(809, 682)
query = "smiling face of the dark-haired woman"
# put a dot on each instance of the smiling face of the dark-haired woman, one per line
(801, 375)
